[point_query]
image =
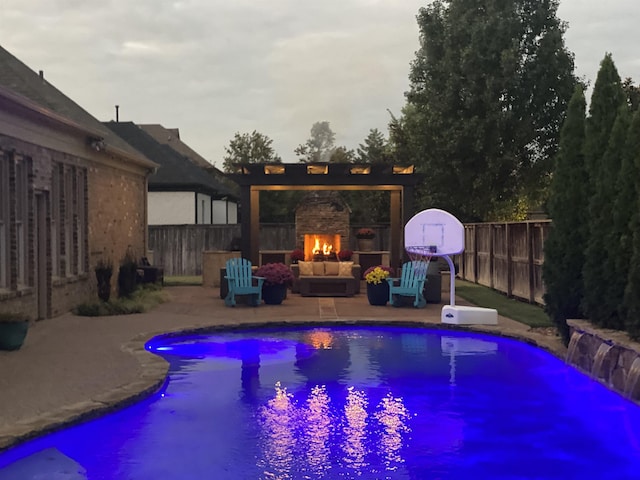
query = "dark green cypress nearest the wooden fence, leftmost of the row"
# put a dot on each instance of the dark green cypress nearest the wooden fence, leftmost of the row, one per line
(565, 245)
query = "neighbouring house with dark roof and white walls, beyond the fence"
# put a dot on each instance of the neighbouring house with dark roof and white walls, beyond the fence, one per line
(180, 192)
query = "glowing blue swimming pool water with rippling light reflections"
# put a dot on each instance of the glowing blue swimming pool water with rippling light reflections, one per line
(351, 402)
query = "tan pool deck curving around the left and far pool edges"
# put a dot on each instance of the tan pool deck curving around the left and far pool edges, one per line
(73, 367)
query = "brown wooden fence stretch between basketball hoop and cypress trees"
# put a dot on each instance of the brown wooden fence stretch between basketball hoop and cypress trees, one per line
(507, 257)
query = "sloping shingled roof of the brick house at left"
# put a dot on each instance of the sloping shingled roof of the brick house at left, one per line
(32, 91)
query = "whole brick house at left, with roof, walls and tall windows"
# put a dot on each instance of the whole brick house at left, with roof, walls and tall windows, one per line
(72, 193)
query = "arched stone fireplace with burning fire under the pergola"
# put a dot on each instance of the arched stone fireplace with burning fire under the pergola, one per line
(322, 225)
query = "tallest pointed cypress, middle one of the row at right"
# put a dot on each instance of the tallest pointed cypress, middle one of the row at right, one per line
(607, 98)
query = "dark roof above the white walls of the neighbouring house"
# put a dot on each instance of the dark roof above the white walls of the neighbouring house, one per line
(176, 172)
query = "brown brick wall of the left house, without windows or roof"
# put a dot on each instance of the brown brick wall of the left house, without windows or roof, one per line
(115, 212)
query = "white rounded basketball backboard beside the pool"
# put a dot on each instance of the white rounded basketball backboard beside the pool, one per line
(434, 232)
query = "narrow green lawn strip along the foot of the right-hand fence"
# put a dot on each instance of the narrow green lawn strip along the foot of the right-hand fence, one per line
(529, 314)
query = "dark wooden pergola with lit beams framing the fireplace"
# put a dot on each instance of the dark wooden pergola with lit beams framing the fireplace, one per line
(398, 180)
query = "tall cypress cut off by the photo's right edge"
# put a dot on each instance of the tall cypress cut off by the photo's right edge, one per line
(631, 168)
